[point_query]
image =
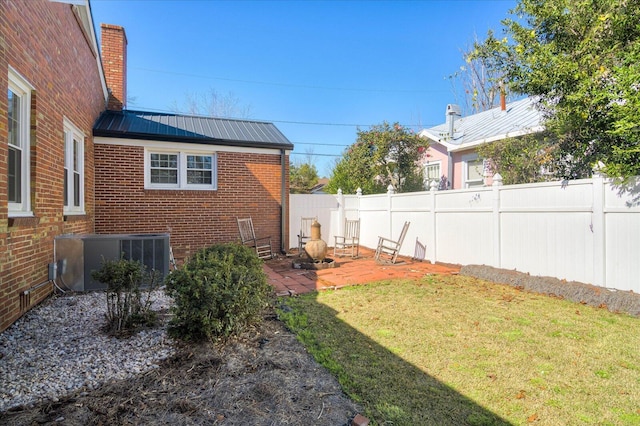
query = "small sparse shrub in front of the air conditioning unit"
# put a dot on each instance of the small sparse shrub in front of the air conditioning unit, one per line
(128, 306)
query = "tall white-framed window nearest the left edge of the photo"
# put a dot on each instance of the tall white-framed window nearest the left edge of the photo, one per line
(18, 167)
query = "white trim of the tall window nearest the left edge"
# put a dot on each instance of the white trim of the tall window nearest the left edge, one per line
(19, 86)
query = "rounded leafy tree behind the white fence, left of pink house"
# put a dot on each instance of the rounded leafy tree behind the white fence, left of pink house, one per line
(381, 156)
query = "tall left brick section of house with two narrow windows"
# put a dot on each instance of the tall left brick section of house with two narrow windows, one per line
(53, 90)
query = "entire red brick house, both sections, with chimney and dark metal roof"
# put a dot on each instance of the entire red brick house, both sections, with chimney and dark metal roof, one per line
(75, 162)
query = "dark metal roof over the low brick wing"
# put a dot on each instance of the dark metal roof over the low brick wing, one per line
(190, 129)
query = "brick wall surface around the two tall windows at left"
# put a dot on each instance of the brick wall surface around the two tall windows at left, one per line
(44, 42)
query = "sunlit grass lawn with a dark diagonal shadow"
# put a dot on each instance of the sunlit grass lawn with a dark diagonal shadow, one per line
(454, 350)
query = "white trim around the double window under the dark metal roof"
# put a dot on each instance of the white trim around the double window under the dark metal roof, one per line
(182, 170)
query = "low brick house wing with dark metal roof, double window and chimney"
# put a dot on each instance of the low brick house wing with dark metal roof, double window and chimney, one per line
(187, 176)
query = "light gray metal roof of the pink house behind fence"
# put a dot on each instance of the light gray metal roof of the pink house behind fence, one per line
(520, 118)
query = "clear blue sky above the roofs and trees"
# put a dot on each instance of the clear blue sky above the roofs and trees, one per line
(318, 70)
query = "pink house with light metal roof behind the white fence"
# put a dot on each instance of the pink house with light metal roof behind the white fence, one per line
(452, 152)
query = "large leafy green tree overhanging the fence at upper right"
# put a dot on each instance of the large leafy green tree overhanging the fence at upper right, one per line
(582, 59)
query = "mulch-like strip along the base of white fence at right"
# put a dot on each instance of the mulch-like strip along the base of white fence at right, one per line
(614, 300)
